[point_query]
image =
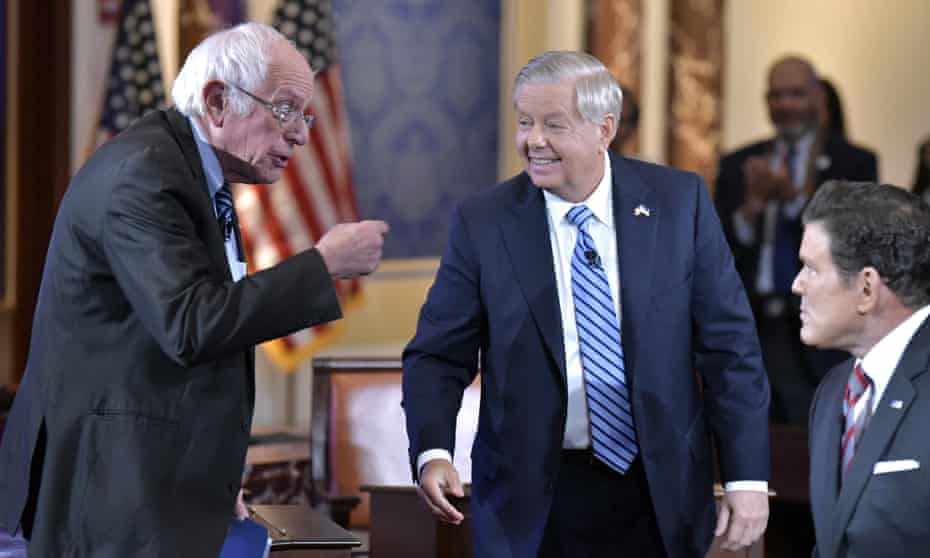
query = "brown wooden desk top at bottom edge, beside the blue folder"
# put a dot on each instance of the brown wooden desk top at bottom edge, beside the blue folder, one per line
(301, 532)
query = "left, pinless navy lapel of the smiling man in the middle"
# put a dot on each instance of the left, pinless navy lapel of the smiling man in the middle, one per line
(525, 231)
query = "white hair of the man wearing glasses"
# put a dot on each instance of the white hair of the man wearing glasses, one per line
(238, 56)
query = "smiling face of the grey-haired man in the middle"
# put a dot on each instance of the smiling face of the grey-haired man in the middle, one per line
(560, 150)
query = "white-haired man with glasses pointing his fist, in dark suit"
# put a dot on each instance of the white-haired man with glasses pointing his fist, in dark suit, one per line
(129, 433)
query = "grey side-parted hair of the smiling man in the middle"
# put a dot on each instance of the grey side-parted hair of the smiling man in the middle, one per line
(596, 91)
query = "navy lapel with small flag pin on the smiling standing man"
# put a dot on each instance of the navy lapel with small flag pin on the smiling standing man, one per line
(636, 239)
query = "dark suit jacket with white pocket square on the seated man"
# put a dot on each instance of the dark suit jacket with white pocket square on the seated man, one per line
(874, 516)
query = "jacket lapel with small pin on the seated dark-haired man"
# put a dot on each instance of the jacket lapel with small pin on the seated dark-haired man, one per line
(882, 427)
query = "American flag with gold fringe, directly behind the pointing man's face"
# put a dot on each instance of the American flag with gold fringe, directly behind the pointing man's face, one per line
(316, 190)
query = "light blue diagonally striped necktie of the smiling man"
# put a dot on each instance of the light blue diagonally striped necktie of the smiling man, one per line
(613, 436)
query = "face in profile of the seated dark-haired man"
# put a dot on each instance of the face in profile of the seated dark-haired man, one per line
(829, 303)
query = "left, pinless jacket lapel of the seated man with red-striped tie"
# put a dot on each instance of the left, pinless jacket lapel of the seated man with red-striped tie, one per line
(825, 453)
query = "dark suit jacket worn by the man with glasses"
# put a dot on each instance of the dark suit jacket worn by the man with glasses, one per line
(134, 413)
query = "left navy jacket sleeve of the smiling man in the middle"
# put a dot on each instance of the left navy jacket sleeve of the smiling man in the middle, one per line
(442, 359)
